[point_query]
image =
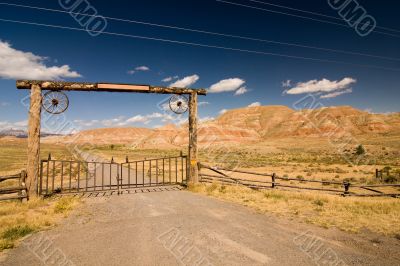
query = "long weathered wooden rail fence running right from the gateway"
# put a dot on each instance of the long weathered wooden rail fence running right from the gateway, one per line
(273, 181)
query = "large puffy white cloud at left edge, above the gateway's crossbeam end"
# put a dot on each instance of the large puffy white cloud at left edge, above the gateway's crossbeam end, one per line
(15, 64)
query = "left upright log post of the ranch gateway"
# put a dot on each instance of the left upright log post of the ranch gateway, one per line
(34, 140)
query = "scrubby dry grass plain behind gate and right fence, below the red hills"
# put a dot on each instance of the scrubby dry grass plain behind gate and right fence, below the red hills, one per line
(310, 158)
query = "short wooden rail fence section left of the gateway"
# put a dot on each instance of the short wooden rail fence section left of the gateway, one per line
(14, 191)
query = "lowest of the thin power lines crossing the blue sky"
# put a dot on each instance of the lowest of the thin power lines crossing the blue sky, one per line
(202, 45)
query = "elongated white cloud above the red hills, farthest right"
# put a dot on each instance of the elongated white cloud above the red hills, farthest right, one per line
(324, 85)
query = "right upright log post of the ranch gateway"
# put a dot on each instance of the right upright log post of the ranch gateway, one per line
(193, 169)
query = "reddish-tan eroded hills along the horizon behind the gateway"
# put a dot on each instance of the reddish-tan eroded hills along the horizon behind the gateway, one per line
(250, 125)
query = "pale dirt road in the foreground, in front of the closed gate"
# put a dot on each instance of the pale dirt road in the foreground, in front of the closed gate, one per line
(181, 228)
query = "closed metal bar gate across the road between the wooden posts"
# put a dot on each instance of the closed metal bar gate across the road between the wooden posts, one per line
(61, 176)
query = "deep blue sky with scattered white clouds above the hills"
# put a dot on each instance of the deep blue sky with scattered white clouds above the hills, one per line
(114, 58)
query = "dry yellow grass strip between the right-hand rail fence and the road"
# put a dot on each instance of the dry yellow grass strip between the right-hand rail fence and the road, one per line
(380, 215)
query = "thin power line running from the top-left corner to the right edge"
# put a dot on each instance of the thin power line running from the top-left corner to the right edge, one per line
(211, 33)
